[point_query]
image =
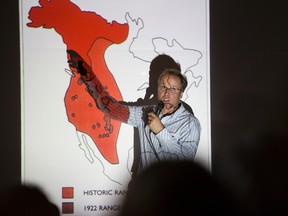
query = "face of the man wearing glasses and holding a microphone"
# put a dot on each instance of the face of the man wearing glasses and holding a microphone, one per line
(169, 90)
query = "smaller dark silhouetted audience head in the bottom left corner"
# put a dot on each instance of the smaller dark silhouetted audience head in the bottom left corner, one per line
(26, 201)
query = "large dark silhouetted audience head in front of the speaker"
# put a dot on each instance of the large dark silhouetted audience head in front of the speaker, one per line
(176, 188)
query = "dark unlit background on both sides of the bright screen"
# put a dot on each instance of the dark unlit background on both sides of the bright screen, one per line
(249, 106)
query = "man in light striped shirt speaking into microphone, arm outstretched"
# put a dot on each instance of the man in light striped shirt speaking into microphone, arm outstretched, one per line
(167, 130)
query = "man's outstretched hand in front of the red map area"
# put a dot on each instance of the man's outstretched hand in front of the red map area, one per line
(77, 62)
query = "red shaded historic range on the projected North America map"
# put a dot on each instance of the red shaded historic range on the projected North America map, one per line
(89, 35)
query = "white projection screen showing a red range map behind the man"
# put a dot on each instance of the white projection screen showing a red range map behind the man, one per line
(84, 171)
